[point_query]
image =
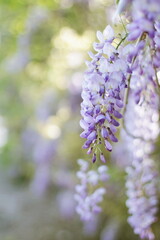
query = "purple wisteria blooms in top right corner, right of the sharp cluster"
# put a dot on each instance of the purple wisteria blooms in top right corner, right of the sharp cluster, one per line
(145, 28)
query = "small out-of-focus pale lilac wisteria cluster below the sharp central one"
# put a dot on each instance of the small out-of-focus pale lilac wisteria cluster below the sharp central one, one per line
(88, 203)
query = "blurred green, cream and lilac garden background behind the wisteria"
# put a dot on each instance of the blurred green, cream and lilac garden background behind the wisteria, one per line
(43, 46)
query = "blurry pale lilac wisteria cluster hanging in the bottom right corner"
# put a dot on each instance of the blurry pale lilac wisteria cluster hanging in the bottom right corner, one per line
(142, 199)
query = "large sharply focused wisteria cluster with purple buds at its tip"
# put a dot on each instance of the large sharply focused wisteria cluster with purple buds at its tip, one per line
(102, 94)
